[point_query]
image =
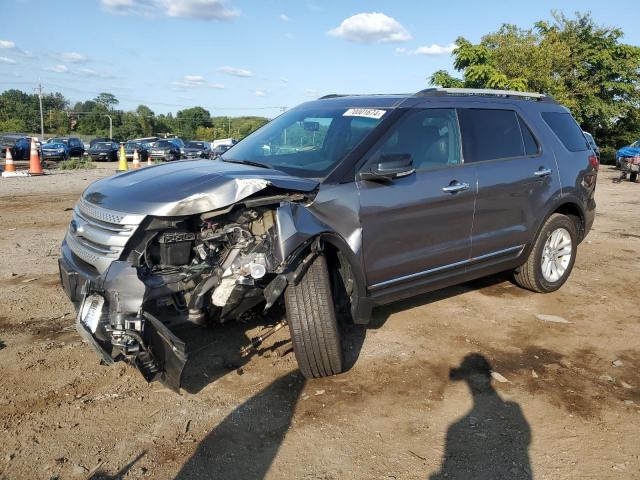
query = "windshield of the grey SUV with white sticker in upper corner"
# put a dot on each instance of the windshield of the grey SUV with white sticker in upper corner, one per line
(307, 141)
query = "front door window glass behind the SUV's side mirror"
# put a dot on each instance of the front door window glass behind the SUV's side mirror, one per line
(431, 137)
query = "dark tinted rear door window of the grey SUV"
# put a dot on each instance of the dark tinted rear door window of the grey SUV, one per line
(490, 134)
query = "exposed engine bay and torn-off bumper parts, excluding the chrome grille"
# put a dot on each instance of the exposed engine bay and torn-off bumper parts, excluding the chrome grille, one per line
(206, 268)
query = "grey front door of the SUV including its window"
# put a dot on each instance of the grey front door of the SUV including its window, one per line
(417, 228)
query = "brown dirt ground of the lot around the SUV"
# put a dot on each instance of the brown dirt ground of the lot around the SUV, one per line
(563, 403)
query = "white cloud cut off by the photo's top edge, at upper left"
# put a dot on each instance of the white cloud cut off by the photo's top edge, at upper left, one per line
(197, 9)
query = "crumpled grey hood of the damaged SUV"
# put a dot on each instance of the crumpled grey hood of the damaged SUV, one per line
(187, 187)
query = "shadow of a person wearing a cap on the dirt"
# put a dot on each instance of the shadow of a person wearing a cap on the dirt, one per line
(492, 440)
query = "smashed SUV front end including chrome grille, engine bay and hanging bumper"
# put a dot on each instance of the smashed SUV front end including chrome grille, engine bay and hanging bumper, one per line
(133, 282)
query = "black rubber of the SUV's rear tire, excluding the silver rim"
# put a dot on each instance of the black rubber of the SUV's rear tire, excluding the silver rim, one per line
(530, 274)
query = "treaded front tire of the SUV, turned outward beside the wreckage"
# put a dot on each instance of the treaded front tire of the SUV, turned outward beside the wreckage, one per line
(312, 322)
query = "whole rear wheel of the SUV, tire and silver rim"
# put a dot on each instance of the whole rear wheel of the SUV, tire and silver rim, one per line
(551, 259)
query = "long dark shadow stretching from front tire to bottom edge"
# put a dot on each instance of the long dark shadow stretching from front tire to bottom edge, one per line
(245, 443)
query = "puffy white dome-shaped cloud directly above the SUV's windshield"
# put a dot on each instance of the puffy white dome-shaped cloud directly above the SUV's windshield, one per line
(371, 28)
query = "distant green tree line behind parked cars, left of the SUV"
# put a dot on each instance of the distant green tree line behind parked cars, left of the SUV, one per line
(19, 112)
